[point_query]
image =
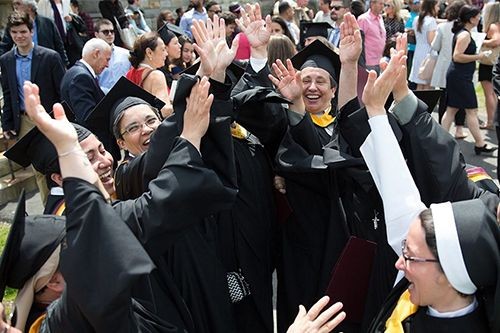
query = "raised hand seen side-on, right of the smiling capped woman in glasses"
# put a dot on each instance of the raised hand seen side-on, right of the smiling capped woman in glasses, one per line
(197, 115)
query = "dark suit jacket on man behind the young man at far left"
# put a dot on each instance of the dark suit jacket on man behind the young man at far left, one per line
(48, 37)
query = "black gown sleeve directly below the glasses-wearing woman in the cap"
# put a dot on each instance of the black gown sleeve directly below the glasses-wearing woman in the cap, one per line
(184, 191)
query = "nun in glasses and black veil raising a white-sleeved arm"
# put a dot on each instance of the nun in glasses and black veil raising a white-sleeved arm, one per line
(450, 253)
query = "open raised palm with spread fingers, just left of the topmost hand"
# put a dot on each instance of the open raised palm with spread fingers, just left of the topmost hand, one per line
(212, 47)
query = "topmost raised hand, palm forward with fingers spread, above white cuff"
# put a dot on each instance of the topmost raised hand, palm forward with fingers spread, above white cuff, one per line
(254, 27)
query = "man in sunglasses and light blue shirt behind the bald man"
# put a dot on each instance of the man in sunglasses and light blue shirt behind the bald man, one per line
(119, 63)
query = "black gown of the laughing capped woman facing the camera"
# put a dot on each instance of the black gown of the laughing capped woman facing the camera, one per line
(317, 230)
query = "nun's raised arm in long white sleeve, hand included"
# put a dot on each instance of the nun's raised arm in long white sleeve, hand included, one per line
(384, 158)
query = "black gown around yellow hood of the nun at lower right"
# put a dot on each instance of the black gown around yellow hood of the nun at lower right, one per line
(421, 322)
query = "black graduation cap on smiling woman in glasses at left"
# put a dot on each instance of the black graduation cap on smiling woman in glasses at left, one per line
(124, 94)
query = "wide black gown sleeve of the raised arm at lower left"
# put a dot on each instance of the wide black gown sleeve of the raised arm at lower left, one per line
(100, 260)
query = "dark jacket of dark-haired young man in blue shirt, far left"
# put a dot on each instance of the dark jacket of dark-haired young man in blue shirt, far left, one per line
(47, 71)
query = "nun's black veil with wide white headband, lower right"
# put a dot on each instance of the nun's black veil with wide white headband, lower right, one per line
(463, 230)
